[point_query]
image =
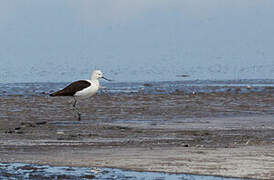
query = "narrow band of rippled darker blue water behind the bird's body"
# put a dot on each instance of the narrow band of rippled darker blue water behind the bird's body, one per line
(197, 86)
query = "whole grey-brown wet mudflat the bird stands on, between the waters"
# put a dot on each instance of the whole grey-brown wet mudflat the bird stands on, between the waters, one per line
(225, 134)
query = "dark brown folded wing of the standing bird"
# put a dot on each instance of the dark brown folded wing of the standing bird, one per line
(71, 89)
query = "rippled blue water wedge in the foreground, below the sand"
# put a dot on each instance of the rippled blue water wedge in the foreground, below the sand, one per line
(34, 171)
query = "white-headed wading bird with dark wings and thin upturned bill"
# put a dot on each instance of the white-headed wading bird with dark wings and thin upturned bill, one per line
(82, 89)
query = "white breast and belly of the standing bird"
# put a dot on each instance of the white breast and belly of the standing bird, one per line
(89, 91)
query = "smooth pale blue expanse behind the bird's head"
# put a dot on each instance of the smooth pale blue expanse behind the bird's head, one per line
(137, 40)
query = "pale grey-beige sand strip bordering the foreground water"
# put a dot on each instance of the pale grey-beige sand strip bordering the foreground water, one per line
(245, 167)
